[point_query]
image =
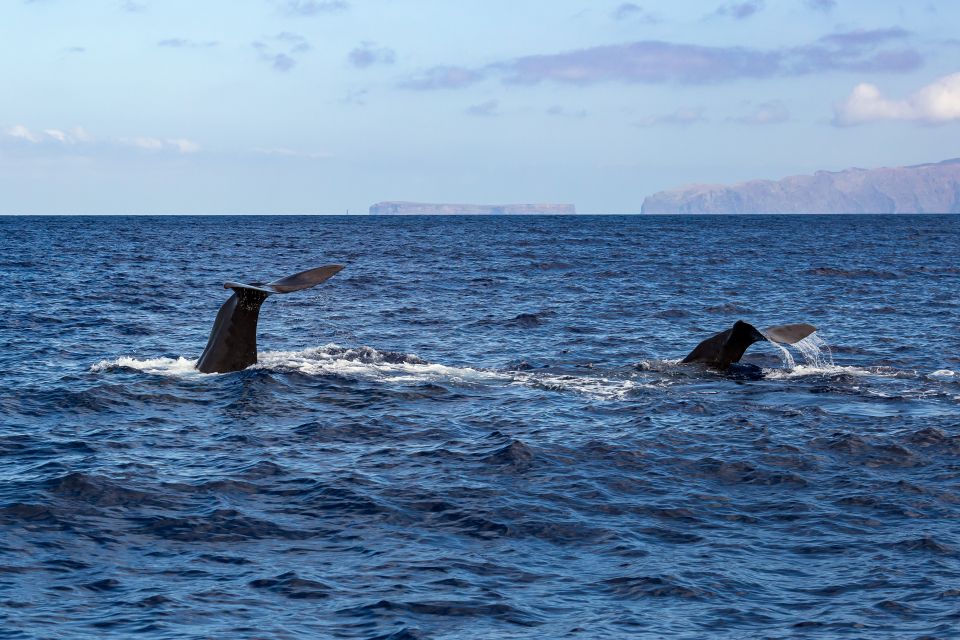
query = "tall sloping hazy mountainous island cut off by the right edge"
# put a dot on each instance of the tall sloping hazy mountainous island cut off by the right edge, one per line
(924, 188)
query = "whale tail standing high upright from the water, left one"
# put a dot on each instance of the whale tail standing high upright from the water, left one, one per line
(233, 340)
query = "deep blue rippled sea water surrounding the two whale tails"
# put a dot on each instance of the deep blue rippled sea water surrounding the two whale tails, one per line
(478, 429)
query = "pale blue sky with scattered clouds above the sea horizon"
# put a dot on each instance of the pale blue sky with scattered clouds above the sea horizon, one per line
(327, 106)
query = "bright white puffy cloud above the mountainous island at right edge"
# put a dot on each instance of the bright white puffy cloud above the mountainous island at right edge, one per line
(936, 103)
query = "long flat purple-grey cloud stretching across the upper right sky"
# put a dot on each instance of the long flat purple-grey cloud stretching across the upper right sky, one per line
(653, 62)
